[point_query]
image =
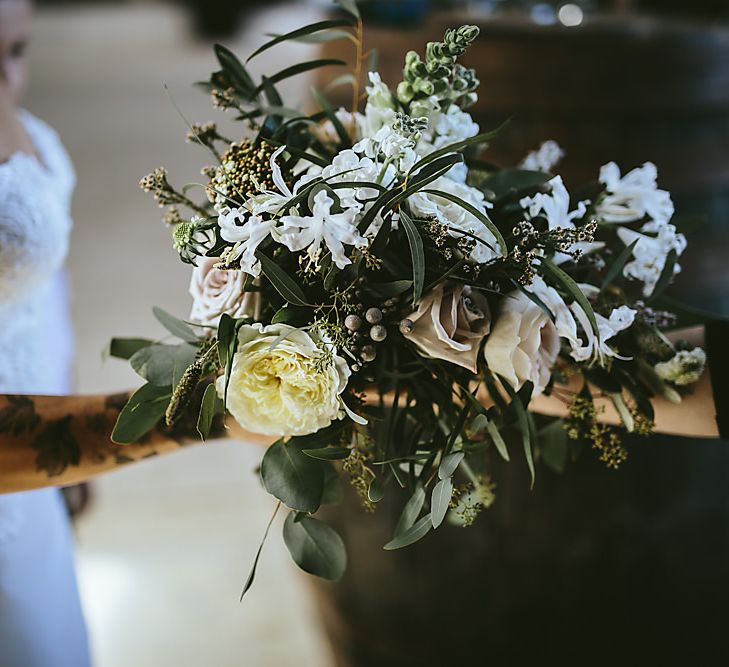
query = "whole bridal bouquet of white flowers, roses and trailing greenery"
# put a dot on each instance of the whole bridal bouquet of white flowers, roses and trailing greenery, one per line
(384, 303)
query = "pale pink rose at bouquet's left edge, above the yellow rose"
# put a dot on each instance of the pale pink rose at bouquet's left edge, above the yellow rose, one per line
(215, 291)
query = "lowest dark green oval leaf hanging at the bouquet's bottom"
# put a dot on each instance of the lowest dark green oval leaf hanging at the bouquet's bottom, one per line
(315, 547)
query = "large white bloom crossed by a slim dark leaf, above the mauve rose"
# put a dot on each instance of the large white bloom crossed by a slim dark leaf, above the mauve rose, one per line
(456, 217)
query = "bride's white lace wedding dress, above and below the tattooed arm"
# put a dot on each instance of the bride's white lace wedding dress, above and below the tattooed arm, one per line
(40, 616)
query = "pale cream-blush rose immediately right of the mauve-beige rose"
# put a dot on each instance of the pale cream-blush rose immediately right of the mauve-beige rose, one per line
(524, 343)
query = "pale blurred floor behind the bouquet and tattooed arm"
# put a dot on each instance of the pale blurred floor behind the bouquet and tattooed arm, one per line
(164, 552)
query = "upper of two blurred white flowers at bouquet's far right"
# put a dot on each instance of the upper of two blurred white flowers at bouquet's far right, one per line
(633, 196)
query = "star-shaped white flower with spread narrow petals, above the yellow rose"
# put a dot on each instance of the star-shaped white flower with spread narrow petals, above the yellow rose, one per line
(332, 229)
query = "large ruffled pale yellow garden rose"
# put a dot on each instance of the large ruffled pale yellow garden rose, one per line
(275, 386)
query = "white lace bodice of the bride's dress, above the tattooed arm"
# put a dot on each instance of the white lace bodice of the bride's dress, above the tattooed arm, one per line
(35, 224)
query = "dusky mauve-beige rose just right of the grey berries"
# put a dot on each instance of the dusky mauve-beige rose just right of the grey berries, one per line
(450, 323)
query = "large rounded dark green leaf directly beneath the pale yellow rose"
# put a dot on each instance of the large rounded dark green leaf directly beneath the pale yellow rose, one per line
(294, 478)
